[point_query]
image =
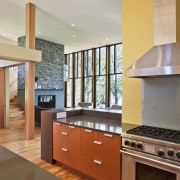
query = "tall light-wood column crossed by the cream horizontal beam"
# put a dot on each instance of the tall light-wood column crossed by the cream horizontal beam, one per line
(29, 72)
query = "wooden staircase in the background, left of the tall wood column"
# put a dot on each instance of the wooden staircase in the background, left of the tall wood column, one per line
(16, 111)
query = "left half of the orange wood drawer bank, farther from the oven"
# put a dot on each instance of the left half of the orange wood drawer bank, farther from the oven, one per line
(66, 144)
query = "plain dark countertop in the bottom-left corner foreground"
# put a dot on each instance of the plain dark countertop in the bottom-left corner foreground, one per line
(15, 167)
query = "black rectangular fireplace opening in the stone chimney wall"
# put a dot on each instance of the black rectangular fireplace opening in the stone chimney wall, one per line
(47, 101)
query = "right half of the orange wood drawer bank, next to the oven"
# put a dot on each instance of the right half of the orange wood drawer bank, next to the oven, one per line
(100, 154)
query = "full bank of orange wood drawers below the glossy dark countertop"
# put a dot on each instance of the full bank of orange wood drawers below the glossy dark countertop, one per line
(92, 152)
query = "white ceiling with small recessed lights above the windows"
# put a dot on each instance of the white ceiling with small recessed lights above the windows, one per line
(97, 22)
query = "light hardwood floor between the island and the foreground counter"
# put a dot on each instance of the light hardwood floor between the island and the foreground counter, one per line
(13, 139)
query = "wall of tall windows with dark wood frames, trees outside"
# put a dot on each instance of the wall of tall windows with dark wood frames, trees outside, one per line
(95, 76)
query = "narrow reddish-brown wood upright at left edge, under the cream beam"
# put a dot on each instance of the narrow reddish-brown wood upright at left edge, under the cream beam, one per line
(2, 96)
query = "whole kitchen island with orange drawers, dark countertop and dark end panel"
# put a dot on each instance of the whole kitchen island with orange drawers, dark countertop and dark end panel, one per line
(87, 140)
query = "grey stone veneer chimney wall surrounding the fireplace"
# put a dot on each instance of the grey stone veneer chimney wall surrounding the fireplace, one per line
(50, 71)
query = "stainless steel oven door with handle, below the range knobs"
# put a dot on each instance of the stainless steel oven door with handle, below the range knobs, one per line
(141, 166)
